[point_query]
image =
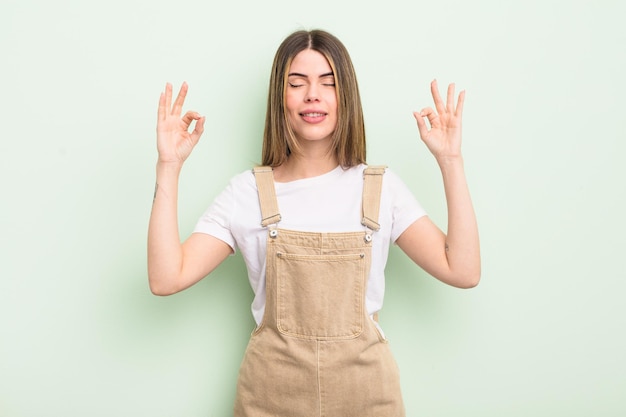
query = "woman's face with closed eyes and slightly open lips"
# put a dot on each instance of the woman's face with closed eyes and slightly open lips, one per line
(311, 99)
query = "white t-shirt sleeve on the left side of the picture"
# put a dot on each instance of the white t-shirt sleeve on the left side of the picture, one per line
(216, 220)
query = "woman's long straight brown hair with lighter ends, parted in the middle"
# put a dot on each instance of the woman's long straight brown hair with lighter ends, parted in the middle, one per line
(349, 136)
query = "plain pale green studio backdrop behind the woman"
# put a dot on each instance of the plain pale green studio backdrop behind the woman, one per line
(80, 332)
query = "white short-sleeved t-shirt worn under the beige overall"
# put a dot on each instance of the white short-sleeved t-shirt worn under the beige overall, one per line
(327, 203)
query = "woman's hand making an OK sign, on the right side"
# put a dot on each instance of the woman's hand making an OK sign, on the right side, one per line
(443, 138)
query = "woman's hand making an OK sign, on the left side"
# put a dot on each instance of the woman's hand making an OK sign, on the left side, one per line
(174, 141)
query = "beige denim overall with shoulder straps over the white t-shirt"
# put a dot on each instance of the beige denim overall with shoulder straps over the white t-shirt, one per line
(317, 353)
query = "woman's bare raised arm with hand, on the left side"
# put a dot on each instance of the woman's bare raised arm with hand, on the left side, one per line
(173, 266)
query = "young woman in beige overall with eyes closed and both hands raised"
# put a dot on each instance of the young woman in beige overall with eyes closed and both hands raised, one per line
(314, 225)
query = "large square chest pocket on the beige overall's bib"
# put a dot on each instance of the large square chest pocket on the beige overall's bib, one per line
(321, 296)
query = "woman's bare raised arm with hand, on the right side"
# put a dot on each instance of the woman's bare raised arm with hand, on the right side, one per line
(453, 258)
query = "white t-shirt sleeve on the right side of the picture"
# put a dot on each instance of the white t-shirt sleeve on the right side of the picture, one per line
(404, 206)
